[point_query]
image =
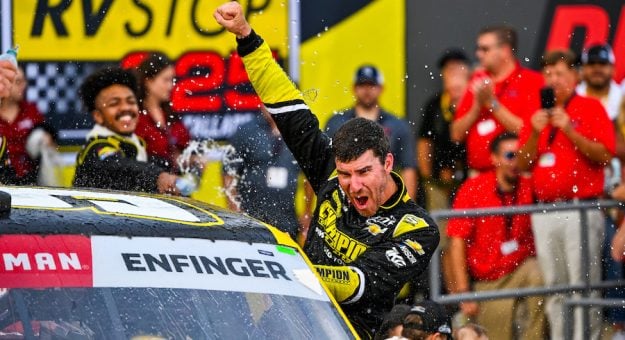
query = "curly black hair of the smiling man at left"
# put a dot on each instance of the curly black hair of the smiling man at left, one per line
(103, 78)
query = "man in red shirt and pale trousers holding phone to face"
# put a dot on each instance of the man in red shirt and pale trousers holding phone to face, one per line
(566, 148)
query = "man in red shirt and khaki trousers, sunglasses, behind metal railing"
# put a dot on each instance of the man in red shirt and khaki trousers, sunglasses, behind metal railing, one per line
(496, 252)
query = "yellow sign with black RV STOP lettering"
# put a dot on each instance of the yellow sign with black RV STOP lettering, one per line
(95, 30)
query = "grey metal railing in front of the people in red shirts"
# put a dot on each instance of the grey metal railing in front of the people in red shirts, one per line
(585, 288)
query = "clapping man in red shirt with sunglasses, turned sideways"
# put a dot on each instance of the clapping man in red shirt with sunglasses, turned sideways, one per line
(501, 96)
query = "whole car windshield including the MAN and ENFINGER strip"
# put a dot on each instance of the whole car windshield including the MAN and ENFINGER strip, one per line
(112, 287)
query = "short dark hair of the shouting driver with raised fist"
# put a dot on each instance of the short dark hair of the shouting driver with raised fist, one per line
(357, 136)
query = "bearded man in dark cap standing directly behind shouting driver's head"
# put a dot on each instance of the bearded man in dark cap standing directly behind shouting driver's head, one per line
(368, 86)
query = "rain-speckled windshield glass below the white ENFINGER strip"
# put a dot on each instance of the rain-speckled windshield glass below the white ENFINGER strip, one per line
(155, 313)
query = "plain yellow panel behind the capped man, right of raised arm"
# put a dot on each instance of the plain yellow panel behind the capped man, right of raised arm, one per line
(373, 35)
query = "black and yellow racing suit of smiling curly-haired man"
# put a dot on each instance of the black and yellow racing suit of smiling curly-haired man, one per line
(110, 163)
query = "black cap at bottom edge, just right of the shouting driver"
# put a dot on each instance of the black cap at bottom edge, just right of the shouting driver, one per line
(434, 318)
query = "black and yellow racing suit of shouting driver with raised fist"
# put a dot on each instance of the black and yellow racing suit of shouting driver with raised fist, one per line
(364, 261)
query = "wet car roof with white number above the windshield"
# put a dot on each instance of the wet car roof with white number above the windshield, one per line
(36, 210)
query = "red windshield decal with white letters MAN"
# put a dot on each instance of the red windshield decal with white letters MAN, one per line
(32, 261)
